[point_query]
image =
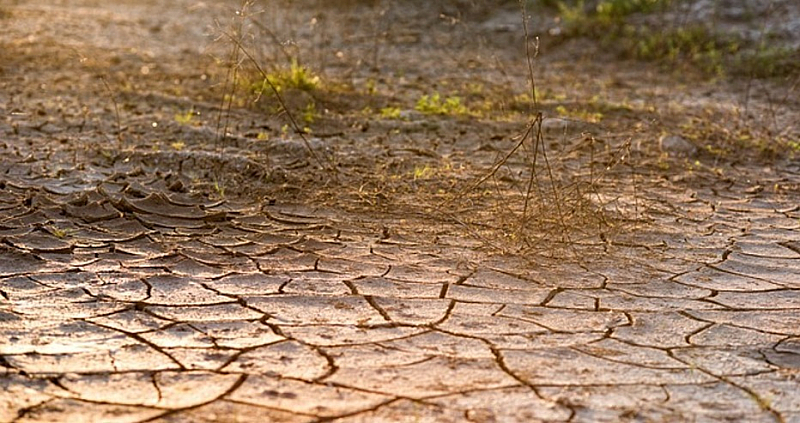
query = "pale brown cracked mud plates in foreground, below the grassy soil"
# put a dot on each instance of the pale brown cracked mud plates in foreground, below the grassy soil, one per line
(128, 297)
